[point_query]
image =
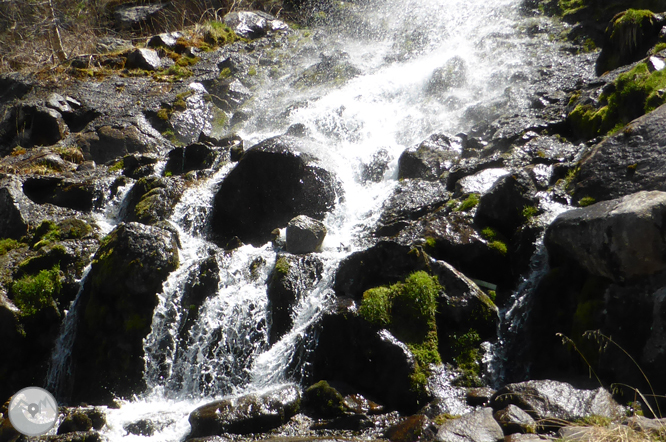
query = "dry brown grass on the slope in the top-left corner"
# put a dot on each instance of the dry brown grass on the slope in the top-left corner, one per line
(26, 25)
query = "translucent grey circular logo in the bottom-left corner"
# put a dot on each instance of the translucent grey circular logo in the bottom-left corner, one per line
(33, 411)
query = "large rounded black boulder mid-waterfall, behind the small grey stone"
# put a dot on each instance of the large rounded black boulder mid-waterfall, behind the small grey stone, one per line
(273, 182)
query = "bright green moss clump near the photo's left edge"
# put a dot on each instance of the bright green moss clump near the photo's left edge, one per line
(32, 293)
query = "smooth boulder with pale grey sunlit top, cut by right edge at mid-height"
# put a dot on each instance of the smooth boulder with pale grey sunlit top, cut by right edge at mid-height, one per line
(619, 239)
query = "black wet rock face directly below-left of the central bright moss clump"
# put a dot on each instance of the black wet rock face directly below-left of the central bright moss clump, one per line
(352, 351)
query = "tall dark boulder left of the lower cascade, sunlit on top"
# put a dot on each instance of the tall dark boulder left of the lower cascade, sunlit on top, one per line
(116, 310)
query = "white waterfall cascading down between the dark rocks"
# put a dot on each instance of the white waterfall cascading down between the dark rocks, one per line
(383, 109)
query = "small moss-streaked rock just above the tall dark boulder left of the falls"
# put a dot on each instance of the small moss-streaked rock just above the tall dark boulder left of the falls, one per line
(152, 200)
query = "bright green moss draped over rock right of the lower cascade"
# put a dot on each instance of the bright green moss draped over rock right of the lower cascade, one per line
(407, 309)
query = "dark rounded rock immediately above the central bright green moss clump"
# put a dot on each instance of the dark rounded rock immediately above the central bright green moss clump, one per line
(385, 263)
